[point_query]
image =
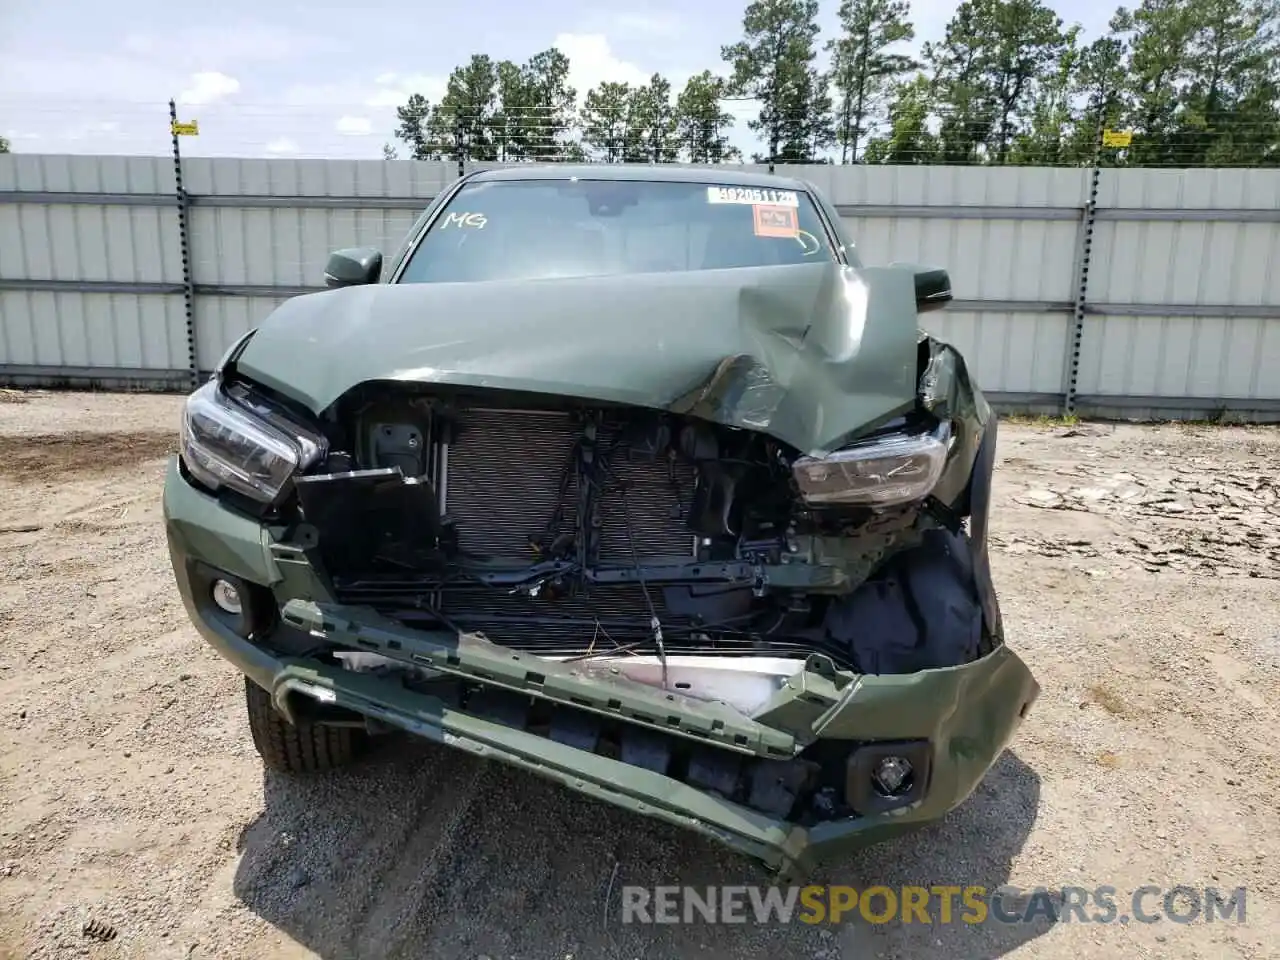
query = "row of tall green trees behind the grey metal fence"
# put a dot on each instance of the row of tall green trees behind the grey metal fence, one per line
(1197, 83)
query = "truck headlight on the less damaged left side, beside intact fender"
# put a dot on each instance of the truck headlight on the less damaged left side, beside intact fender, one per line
(227, 444)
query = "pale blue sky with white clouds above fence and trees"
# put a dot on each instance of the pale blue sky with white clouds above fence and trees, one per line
(322, 79)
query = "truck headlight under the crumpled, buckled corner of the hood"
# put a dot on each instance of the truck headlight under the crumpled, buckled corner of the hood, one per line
(880, 472)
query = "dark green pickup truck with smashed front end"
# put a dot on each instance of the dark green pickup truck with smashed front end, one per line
(634, 478)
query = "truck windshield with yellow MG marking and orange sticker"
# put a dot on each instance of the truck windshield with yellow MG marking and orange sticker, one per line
(542, 230)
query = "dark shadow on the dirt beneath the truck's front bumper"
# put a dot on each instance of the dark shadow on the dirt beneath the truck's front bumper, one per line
(427, 852)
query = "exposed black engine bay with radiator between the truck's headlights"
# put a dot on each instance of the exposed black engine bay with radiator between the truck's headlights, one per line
(582, 531)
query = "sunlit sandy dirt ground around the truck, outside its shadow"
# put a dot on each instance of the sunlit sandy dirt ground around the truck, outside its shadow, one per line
(1137, 569)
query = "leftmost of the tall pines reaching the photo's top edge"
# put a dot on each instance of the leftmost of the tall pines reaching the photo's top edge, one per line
(774, 65)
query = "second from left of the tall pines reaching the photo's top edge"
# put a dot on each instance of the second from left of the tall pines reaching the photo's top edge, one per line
(863, 70)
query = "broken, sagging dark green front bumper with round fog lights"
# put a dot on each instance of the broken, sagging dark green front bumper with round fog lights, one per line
(967, 715)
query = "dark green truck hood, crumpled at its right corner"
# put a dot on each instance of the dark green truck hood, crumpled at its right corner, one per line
(806, 354)
